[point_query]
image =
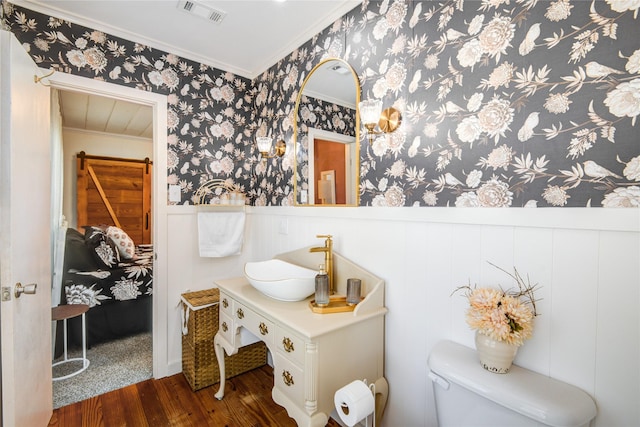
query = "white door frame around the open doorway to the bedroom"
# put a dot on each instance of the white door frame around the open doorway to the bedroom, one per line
(158, 103)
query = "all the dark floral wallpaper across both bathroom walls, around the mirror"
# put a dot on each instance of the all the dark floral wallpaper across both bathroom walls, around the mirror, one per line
(505, 103)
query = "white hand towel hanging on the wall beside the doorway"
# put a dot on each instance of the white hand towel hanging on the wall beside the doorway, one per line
(220, 234)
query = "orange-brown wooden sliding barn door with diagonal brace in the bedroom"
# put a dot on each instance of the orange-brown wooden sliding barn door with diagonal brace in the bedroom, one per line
(115, 192)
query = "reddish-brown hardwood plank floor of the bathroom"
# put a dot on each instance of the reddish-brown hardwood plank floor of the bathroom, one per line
(170, 402)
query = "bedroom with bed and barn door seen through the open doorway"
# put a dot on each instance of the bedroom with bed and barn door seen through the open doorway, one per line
(107, 162)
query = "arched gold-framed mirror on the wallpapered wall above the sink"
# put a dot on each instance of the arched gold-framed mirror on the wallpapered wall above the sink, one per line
(326, 134)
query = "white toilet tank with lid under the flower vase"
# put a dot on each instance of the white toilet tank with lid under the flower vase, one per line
(468, 395)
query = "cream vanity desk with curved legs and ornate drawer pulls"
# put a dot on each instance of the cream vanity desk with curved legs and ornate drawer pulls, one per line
(313, 354)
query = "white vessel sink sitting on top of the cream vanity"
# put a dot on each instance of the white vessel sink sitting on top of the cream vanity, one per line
(281, 280)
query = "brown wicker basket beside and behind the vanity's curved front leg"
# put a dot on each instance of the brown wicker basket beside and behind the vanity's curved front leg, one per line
(200, 324)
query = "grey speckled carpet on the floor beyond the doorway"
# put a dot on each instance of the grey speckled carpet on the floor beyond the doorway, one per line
(113, 365)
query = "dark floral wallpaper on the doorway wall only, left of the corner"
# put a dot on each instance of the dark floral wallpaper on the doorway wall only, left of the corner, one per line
(211, 114)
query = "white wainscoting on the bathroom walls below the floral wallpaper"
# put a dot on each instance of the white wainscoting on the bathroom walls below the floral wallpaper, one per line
(585, 261)
